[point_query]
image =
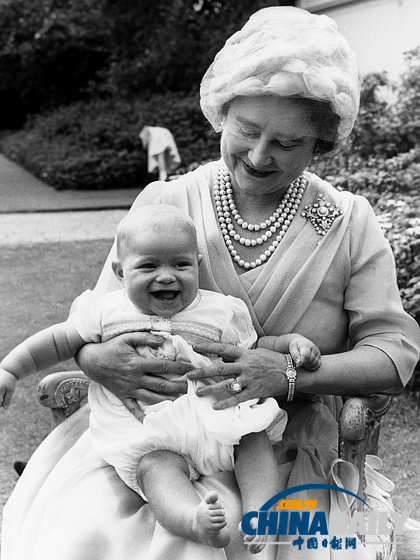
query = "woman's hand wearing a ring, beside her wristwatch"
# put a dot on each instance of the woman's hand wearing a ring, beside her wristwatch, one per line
(259, 371)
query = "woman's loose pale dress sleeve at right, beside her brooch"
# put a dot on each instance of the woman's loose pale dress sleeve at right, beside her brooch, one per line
(372, 299)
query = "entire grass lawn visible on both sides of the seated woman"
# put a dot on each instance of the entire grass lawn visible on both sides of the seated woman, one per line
(37, 285)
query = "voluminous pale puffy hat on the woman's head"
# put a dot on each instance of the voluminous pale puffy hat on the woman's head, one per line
(288, 52)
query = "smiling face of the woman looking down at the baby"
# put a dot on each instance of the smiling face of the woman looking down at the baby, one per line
(266, 143)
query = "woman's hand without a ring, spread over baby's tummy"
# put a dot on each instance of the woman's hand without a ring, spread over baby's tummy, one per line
(116, 365)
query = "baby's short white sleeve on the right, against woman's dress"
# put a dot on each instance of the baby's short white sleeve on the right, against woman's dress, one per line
(238, 329)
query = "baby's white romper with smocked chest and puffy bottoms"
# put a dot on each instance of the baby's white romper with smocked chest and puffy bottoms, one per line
(189, 425)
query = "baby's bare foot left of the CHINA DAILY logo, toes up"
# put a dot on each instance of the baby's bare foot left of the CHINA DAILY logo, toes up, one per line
(209, 524)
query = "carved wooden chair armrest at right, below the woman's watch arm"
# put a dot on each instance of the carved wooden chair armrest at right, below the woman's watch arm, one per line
(359, 426)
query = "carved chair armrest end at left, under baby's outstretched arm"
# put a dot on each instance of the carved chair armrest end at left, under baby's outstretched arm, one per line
(63, 392)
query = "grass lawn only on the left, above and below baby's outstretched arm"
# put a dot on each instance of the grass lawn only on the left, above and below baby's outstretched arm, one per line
(37, 285)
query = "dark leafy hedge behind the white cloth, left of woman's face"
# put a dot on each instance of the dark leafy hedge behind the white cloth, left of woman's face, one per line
(96, 145)
